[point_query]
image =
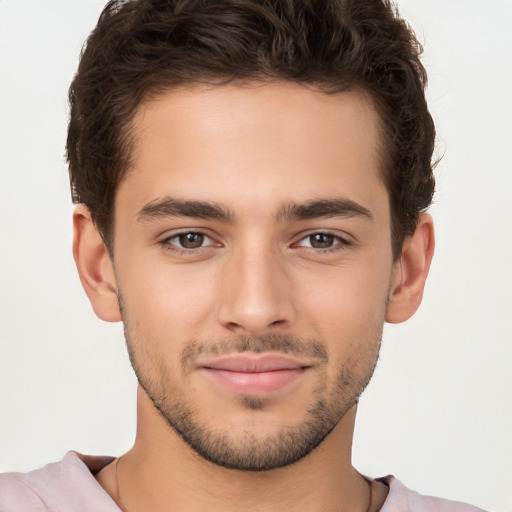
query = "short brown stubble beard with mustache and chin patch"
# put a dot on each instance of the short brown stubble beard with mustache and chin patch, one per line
(249, 451)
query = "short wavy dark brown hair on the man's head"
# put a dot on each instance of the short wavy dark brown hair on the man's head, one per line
(143, 47)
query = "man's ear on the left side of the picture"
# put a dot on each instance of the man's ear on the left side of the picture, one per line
(94, 266)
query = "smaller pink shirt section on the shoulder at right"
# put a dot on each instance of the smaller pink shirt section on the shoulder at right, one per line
(402, 499)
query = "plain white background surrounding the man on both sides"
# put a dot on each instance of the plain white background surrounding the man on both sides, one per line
(439, 411)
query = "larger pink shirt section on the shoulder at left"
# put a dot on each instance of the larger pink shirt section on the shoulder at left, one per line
(67, 486)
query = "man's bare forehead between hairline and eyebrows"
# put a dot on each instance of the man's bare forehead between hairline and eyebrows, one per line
(277, 141)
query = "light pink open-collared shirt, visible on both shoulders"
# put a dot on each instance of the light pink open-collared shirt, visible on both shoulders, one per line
(70, 486)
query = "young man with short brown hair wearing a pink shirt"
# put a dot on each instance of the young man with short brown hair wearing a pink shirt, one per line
(252, 180)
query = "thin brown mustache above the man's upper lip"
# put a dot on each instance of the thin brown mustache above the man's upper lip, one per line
(291, 345)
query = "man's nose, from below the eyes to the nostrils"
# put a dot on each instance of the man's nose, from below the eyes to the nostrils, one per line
(255, 294)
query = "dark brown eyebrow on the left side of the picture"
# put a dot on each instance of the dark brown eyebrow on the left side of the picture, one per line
(171, 207)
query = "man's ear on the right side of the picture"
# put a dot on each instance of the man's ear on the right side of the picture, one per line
(410, 272)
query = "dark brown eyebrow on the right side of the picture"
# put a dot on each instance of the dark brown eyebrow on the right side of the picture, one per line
(338, 207)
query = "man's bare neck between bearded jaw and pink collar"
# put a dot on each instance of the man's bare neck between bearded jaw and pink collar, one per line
(162, 473)
